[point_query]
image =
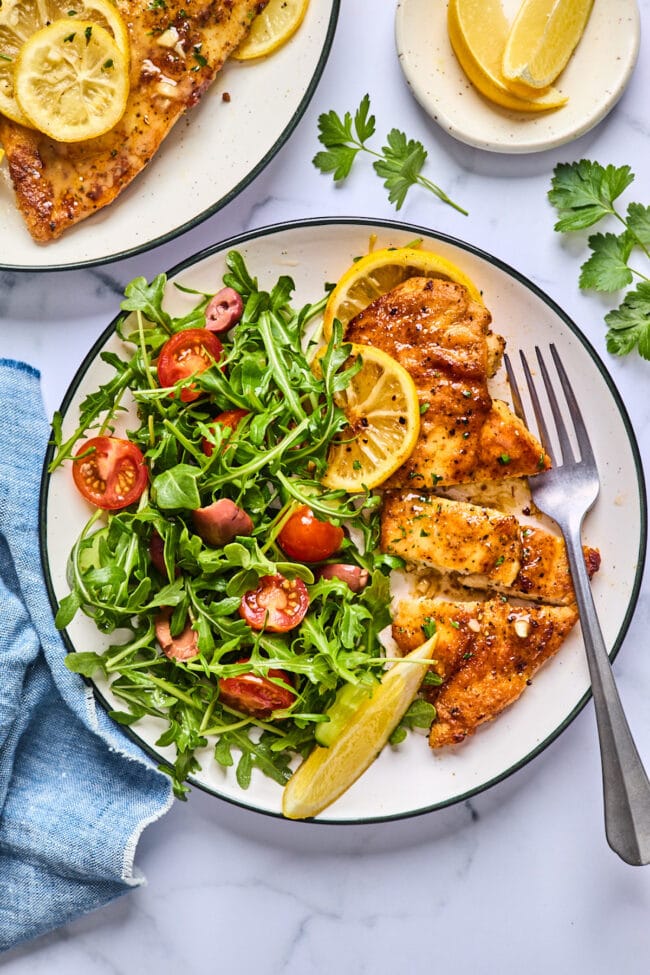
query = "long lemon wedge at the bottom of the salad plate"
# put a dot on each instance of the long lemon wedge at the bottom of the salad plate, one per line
(327, 772)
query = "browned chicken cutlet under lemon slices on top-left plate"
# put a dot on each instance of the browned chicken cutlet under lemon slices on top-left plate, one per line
(177, 49)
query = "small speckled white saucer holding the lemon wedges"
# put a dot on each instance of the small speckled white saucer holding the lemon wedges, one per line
(594, 79)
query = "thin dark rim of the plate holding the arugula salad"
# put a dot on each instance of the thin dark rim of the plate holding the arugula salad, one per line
(395, 225)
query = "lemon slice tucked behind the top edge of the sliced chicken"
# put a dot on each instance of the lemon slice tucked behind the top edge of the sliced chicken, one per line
(379, 272)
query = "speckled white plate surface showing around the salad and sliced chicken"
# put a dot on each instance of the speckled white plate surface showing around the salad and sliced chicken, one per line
(411, 779)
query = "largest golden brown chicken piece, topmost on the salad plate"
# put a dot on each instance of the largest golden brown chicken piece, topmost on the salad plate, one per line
(440, 335)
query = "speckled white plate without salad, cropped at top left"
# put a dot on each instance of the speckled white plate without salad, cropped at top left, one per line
(207, 159)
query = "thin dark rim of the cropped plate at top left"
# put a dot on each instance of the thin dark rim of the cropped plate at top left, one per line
(243, 184)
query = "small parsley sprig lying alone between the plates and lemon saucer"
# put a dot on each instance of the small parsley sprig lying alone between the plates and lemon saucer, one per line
(399, 163)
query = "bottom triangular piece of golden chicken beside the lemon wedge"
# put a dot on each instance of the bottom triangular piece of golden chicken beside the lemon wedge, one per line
(486, 654)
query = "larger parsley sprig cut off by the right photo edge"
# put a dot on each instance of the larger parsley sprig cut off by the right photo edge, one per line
(584, 193)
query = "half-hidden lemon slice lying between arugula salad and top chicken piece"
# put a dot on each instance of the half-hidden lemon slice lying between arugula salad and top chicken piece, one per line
(383, 412)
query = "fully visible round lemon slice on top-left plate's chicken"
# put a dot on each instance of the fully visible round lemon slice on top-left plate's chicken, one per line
(72, 80)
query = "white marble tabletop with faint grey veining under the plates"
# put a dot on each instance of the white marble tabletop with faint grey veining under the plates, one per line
(518, 879)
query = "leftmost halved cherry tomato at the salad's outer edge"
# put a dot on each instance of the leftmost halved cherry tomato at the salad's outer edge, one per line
(112, 473)
